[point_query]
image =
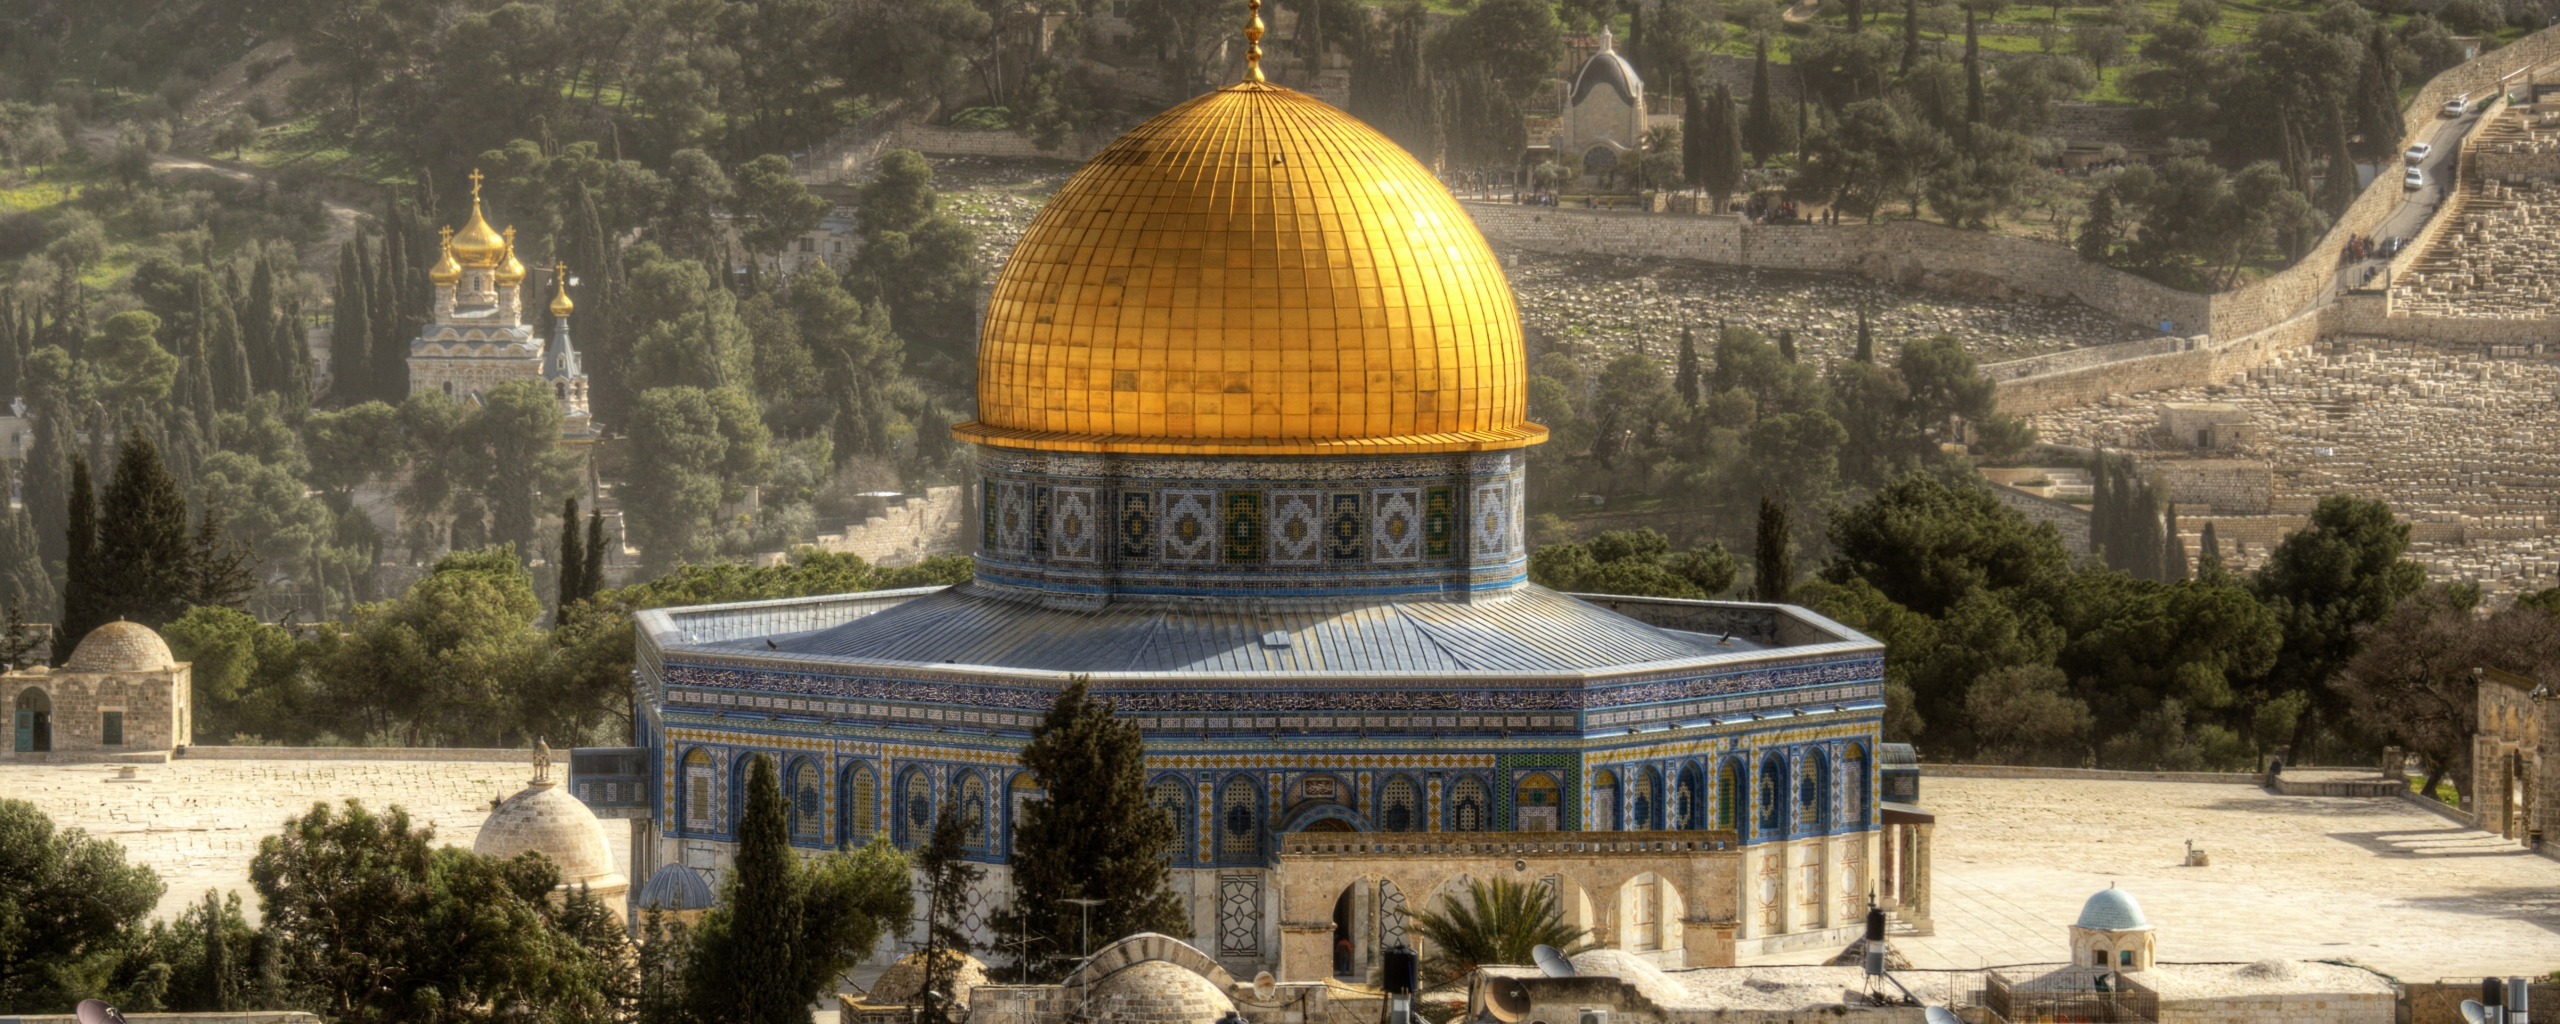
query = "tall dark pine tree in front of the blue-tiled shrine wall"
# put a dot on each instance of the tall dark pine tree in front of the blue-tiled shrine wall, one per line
(1092, 836)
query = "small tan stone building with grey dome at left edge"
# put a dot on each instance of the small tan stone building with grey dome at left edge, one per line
(116, 698)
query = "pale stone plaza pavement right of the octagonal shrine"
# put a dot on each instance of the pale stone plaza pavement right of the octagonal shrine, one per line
(2377, 882)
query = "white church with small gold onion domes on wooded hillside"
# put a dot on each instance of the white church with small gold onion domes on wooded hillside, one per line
(477, 334)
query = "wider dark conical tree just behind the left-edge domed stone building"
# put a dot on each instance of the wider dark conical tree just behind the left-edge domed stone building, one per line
(142, 539)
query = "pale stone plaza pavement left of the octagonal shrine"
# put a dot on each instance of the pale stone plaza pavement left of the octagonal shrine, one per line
(198, 823)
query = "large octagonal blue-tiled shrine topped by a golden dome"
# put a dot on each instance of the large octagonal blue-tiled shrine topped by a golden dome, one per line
(1253, 460)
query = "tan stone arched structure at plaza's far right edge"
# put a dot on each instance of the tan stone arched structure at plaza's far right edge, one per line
(2513, 756)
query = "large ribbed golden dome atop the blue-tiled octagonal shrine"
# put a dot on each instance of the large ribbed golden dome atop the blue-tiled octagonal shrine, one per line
(1253, 273)
